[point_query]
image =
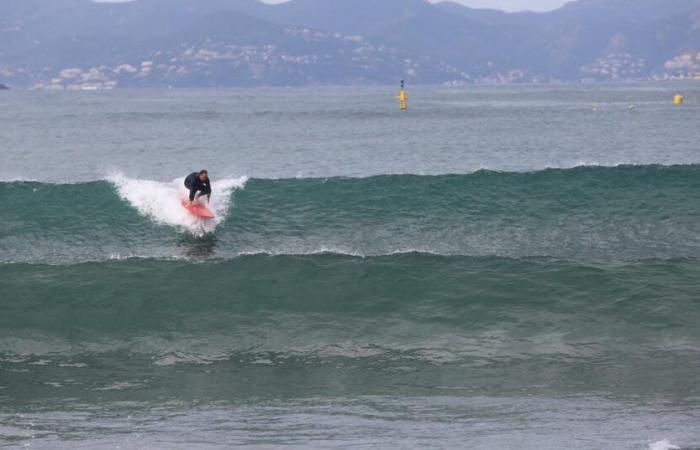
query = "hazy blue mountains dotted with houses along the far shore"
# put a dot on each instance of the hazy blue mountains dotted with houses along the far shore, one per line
(153, 43)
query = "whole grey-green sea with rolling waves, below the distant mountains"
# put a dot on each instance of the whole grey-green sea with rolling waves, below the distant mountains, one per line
(499, 267)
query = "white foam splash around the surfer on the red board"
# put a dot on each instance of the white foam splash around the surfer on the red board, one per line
(161, 201)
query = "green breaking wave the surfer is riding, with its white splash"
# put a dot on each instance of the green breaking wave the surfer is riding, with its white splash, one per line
(586, 214)
